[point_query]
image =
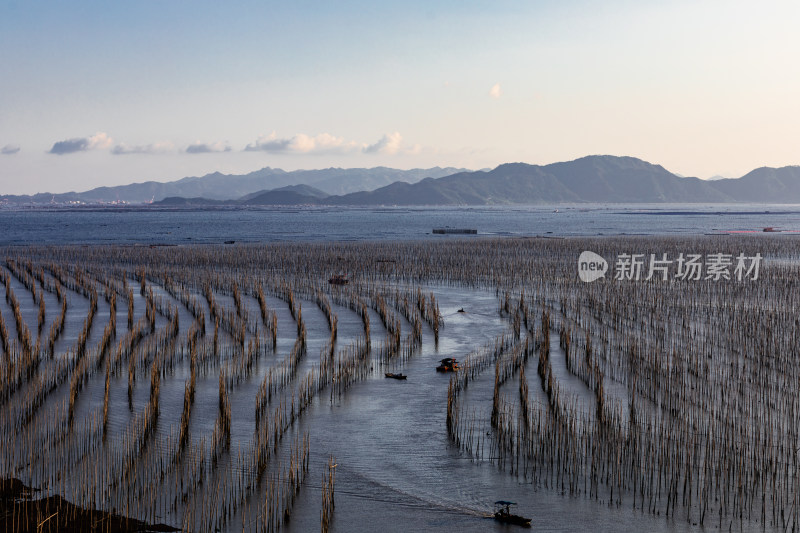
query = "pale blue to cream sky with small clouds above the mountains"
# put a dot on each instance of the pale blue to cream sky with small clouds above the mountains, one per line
(97, 93)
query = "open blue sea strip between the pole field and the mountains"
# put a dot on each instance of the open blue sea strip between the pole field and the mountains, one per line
(401, 223)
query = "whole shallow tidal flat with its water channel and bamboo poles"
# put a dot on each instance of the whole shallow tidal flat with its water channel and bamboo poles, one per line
(234, 387)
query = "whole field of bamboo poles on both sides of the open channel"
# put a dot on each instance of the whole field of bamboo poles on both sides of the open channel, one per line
(683, 401)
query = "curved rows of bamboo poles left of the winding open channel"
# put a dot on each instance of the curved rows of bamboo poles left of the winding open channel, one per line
(123, 469)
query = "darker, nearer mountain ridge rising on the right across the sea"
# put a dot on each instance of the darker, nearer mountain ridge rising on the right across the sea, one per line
(602, 179)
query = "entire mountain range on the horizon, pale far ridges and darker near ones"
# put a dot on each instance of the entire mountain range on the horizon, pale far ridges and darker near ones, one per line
(602, 179)
